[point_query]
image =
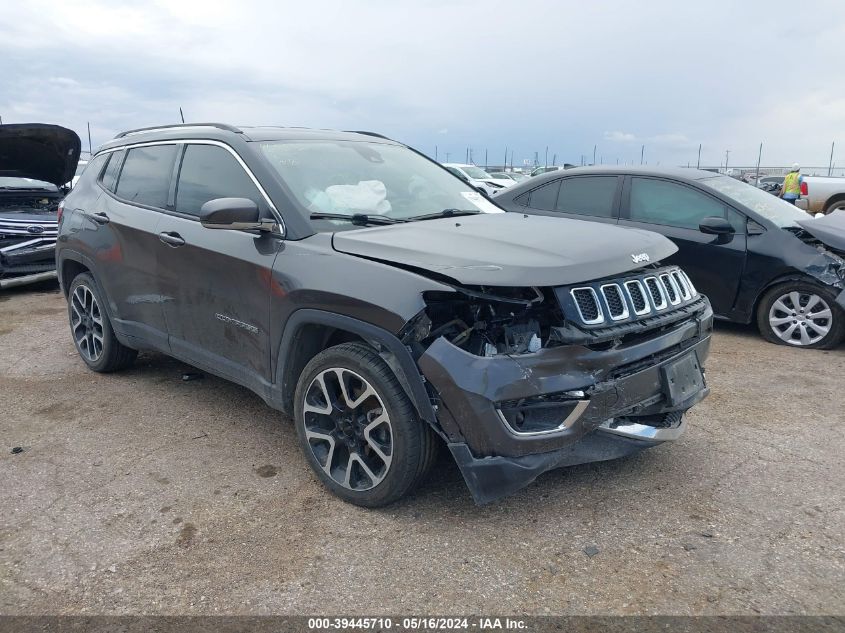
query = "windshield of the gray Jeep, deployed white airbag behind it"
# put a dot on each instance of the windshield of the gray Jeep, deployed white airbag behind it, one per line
(358, 177)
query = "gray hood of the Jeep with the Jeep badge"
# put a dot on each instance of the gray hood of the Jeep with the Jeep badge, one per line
(508, 249)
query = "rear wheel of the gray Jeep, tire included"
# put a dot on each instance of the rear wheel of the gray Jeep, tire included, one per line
(91, 329)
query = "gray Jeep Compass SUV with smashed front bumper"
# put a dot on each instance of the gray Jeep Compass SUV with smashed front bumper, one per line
(362, 289)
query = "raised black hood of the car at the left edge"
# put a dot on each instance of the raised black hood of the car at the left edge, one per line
(39, 151)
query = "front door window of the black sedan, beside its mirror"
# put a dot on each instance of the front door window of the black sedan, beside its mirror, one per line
(662, 202)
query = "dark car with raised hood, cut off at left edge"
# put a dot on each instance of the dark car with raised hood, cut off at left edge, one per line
(36, 160)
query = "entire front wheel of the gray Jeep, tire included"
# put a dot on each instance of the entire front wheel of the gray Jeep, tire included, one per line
(358, 429)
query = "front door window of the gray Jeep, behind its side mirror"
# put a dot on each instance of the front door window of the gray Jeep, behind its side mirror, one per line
(210, 172)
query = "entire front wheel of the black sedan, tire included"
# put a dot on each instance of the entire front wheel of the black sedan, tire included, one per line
(801, 314)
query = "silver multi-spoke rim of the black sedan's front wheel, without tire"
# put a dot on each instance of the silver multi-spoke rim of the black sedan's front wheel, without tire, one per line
(800, 318)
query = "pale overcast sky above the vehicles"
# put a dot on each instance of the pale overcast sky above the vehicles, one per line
(569, 75)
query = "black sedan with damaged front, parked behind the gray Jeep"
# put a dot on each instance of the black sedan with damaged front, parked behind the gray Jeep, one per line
(755, 256)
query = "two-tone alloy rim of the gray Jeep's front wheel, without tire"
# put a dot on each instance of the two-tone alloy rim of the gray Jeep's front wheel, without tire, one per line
(348, 428)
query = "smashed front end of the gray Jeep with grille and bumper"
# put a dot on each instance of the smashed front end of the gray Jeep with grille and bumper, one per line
(529, 379)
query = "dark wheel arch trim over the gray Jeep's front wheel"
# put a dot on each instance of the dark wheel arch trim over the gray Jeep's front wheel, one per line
(309, 331)
